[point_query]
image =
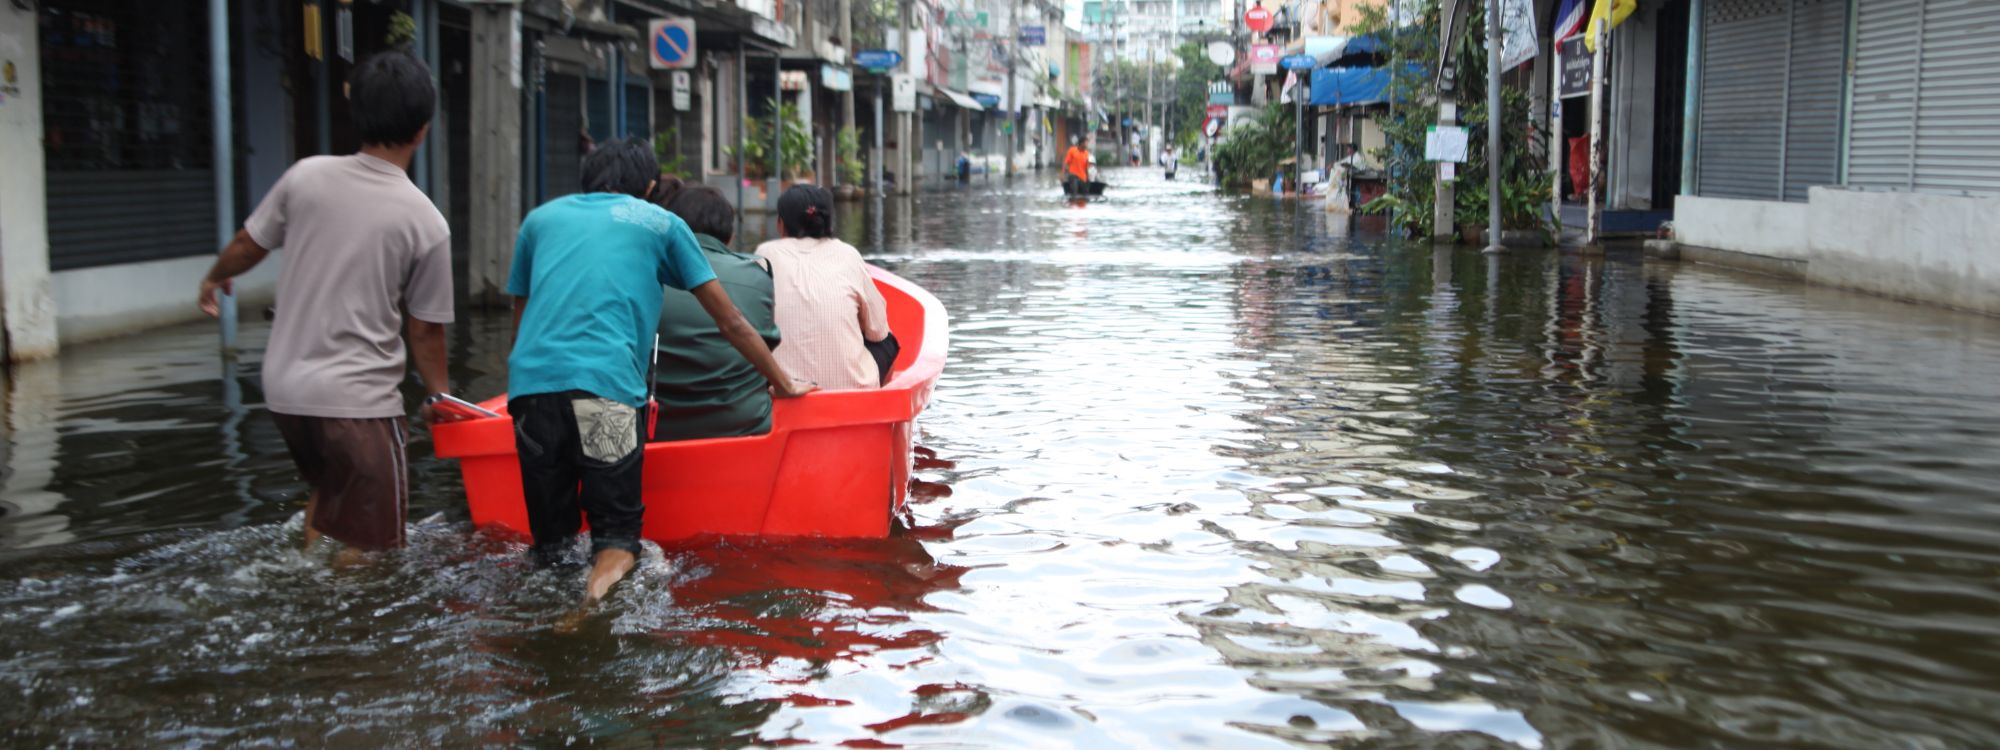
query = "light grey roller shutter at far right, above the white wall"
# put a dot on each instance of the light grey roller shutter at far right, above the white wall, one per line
(1927, 97)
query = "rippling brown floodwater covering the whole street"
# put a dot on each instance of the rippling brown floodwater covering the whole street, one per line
(1207, 473)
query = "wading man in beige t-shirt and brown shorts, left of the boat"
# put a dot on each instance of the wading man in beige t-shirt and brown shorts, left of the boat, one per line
(367, 257)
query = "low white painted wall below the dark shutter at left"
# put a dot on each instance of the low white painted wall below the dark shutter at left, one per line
(113, 301)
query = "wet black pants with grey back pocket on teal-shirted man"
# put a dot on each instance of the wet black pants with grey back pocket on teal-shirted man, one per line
(595, 463)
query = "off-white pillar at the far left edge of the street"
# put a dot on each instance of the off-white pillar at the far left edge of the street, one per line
(25, 301)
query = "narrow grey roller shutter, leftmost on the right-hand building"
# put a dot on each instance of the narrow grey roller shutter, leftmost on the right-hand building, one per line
(1743, 63)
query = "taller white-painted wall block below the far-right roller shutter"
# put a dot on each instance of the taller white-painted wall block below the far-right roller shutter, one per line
(1907, 245)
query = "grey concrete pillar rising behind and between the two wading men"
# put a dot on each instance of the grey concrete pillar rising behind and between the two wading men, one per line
(495, 171)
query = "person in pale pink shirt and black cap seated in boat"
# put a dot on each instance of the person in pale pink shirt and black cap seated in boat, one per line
(829, 307)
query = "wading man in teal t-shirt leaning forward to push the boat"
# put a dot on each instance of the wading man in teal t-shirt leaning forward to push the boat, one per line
(587, 283)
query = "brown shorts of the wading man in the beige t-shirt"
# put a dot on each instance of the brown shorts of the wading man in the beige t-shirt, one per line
(361, 473)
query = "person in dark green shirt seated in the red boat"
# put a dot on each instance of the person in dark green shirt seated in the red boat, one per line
(703, 385)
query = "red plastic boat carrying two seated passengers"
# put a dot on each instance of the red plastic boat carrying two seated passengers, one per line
(833, 465)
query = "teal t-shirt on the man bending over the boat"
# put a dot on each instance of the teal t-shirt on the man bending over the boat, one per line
(593, 267)
